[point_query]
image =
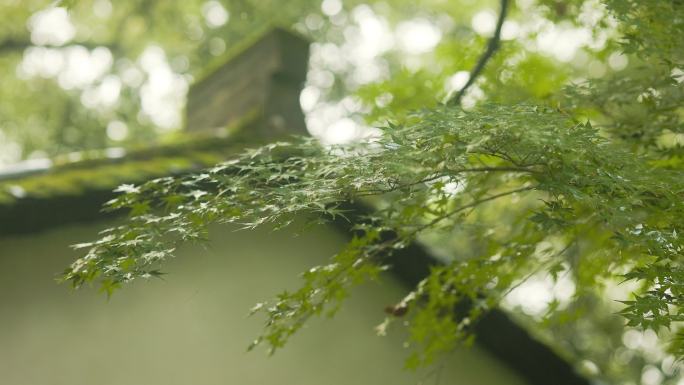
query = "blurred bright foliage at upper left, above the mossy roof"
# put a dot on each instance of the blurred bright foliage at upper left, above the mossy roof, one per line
(110, 73)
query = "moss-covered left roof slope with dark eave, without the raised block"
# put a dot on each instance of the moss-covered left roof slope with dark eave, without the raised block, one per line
(75, 191)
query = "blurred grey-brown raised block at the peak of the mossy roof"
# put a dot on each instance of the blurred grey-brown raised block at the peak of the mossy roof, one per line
(264, 79)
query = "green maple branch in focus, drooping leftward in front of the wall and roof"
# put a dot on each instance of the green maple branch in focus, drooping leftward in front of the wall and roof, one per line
(493, 152)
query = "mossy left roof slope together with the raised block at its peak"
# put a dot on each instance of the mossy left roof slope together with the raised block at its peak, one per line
(39, 195)
